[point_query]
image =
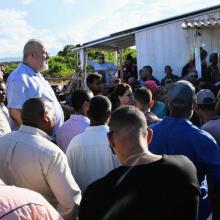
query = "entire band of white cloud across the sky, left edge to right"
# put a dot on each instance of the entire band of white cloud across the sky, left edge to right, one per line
(112, 16)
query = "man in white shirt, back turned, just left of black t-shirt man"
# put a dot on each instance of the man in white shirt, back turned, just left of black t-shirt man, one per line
(89, 154)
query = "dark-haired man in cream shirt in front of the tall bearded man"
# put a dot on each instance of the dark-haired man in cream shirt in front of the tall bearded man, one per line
(30, 160)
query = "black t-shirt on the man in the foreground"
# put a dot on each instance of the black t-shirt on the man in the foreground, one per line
(166, 189)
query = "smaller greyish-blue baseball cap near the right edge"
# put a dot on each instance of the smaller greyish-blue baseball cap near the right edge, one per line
(205, 97)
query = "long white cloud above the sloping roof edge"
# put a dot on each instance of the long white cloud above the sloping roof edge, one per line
(118, 15)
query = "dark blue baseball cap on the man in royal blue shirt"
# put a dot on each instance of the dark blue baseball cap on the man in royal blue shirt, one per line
(181, 94)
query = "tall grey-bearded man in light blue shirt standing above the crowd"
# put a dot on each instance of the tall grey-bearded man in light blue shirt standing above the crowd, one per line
(26, 82)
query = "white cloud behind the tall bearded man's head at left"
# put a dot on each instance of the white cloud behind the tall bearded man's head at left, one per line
(15, 32)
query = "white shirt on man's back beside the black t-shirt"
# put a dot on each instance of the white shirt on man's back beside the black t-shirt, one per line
(89, 155)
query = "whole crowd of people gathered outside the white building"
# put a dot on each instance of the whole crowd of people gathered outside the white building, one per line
(132, 148)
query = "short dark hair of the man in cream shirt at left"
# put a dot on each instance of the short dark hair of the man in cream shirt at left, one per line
(32, 110)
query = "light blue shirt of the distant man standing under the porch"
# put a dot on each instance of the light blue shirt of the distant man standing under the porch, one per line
(110, 68)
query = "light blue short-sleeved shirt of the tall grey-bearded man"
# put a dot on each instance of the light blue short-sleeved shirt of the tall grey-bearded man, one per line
(23, 83)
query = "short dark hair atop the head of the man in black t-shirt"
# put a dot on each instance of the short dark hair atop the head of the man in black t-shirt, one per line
(127, 117)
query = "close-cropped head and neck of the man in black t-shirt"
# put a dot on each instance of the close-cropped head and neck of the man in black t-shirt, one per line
(128, 133)
